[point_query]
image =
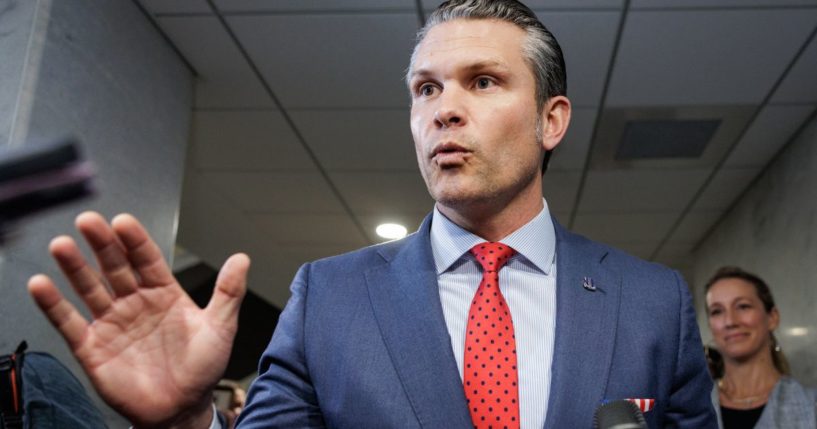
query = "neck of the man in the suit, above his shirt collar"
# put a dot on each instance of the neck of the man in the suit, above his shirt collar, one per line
(493, 221)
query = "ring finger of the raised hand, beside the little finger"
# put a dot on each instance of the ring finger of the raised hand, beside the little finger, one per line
(83, 278)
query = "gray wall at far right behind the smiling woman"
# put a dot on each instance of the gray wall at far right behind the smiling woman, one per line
(772, 231)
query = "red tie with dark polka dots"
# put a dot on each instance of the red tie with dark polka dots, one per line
(490, 376)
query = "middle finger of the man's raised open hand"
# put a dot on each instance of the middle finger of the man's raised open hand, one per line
(110, 253)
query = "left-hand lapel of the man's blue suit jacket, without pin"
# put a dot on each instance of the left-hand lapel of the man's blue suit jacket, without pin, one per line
(406, 303)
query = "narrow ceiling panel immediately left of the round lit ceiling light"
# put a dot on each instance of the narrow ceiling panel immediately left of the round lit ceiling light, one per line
(304, 229)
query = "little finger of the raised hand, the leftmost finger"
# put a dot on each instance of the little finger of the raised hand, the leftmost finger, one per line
(59, 311)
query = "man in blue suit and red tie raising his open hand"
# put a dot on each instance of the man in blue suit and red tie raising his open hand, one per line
(387, 336)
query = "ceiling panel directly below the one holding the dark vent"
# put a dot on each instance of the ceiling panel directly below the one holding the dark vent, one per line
(640, 190)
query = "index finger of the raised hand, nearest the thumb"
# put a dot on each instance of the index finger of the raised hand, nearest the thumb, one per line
(144, 254)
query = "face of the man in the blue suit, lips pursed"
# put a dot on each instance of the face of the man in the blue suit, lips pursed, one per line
(473, 113)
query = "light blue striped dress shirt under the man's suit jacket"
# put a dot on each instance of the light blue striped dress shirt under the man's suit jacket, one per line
(528, 282)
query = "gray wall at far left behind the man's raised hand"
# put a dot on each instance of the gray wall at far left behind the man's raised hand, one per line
(100, 71)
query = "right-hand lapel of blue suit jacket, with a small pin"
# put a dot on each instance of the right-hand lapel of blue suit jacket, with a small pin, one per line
(586, 323)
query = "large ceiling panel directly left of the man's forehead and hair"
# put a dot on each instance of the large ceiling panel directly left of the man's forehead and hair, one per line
(331, 60)
